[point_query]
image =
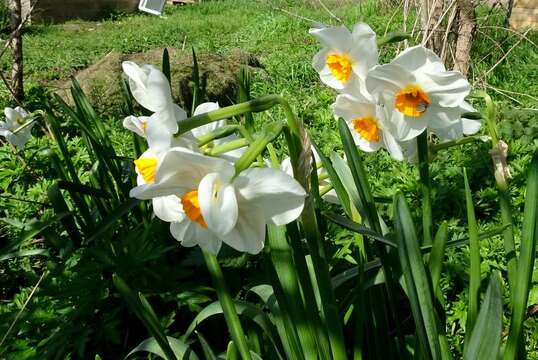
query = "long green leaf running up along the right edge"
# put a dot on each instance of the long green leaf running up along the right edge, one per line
(525, 264)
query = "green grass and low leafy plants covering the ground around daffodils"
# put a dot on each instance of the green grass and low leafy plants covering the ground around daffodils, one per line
(276, 32)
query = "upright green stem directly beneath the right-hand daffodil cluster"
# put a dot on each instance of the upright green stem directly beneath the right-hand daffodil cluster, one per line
(425, 185)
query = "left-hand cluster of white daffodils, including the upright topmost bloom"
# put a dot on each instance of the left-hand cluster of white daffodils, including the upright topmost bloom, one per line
(203, 198)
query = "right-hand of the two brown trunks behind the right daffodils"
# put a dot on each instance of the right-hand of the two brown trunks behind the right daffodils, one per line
(466, 28)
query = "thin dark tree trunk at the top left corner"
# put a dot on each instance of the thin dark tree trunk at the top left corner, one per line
(17, 79)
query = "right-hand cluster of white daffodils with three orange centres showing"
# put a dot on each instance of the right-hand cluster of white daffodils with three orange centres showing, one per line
(389, 105)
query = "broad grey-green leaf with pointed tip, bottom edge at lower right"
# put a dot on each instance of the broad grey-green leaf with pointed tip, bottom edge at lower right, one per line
(486, 335)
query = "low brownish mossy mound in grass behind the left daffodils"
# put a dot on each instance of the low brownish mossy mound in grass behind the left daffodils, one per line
(102, 80)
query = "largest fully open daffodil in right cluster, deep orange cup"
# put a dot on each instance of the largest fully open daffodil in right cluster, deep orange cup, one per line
(420, 90)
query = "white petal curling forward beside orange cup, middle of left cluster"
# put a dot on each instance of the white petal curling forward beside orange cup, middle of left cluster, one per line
(218, 203)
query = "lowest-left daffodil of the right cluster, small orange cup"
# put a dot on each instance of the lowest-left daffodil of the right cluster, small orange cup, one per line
(369, 124)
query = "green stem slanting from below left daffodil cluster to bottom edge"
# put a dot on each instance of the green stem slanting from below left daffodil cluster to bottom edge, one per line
(228, 307)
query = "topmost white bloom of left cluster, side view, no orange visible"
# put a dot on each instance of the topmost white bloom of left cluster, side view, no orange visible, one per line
(151, 89)
